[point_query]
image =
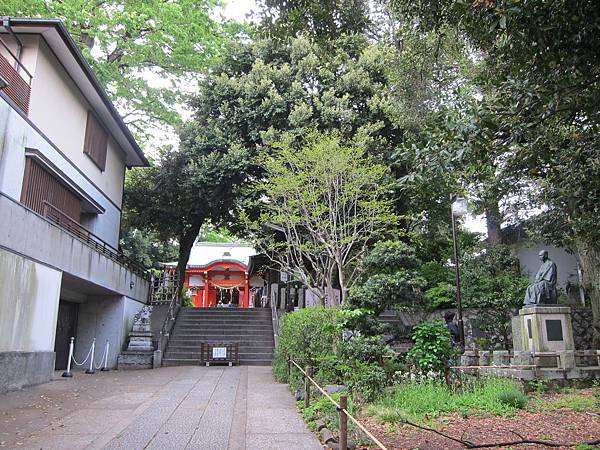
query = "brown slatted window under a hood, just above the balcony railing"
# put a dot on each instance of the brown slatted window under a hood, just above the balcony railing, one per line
(41, 188)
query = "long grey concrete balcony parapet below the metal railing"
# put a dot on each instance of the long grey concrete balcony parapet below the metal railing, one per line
(27, 233)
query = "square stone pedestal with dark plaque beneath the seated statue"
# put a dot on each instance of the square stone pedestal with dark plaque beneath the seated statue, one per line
(543, 328)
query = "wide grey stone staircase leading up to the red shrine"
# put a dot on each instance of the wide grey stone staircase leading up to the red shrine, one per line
(252, 328)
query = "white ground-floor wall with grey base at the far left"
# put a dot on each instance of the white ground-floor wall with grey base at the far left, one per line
(29, 295)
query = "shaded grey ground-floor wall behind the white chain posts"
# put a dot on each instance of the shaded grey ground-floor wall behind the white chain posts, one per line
(105, 318)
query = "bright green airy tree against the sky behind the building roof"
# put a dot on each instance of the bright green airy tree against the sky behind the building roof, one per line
(146, 53)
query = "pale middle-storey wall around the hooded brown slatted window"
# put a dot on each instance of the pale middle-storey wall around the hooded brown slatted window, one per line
(17, 135)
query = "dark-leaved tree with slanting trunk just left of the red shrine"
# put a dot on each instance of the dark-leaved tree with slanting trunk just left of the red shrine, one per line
(187, 189)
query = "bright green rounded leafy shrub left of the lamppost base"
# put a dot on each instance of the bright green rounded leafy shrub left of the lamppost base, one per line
(432, 347)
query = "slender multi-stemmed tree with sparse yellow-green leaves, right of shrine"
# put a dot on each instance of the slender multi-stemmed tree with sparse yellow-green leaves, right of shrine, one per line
(329, 201)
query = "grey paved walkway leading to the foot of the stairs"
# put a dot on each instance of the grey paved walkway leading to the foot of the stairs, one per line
(170, 408)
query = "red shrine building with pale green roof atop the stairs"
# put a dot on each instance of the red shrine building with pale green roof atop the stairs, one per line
(217, 276)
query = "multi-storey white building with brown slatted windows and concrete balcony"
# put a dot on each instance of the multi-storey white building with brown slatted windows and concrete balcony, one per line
(63, 154)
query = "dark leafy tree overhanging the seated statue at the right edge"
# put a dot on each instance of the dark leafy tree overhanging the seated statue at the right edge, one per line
(542, 105)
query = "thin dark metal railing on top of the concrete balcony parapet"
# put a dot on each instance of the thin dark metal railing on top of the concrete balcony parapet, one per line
(56, 216)
